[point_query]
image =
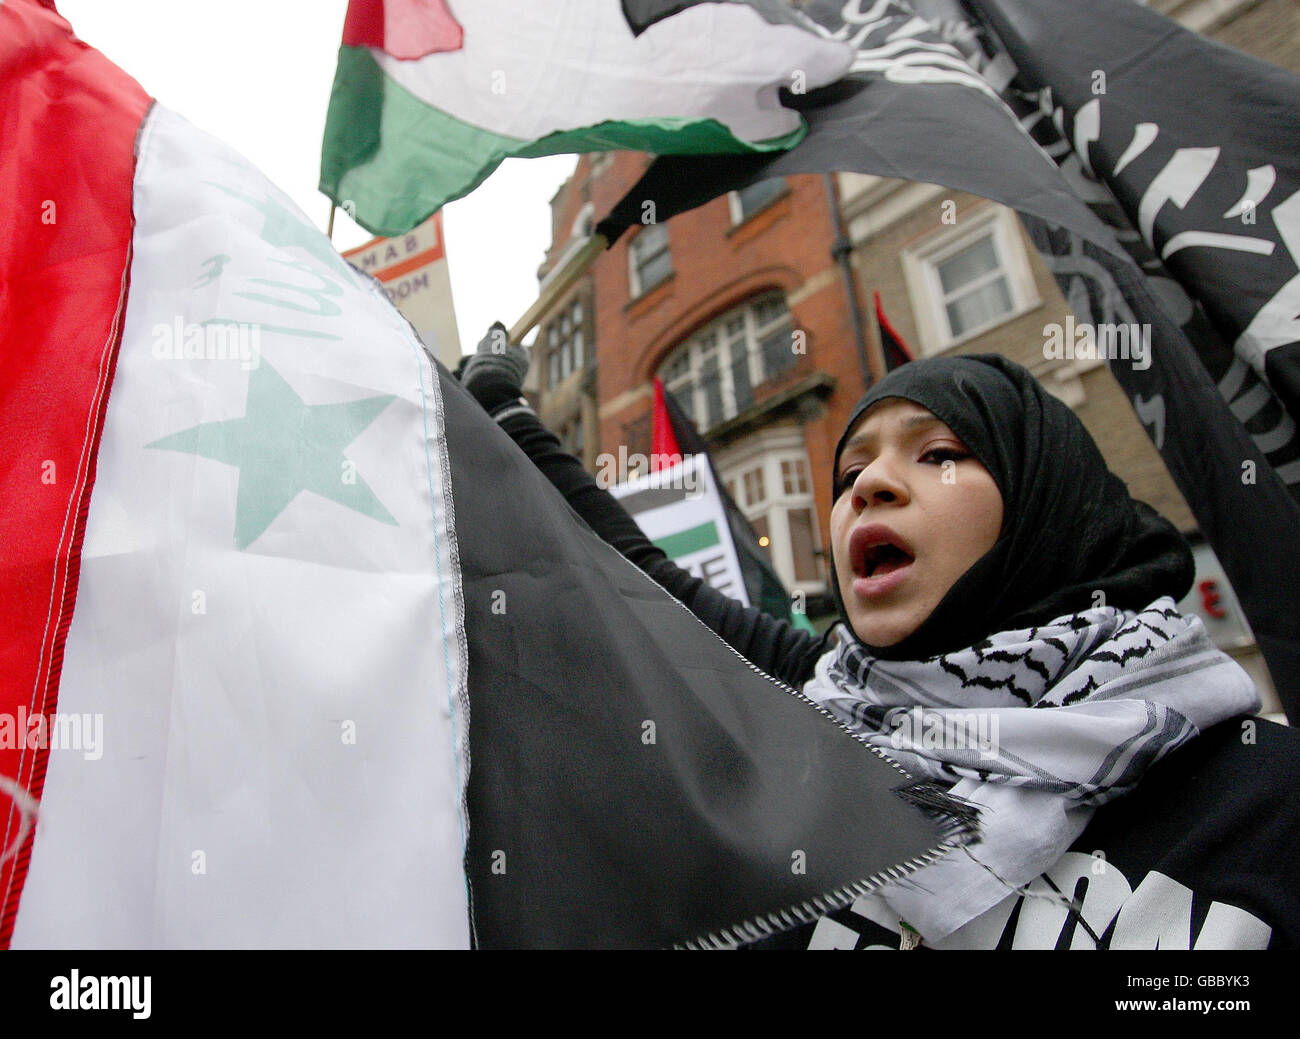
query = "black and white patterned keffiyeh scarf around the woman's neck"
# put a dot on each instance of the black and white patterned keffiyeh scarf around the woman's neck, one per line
(1038, 728)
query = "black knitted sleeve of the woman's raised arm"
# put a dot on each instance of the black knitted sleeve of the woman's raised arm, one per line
(777, 647)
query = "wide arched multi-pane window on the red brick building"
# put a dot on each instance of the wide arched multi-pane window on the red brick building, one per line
(714, 373)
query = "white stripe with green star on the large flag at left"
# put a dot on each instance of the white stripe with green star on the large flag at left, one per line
(229, 806)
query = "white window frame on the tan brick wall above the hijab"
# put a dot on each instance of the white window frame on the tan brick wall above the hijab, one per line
(921, 271)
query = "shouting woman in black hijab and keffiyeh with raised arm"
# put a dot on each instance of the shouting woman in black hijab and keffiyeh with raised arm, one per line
(1008, 629)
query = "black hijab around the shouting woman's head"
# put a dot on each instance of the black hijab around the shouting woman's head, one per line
(1069, 526)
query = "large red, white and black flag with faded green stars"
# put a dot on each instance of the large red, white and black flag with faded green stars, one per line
(300, 650)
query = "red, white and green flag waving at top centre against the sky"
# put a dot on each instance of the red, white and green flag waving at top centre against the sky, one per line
(430, 98)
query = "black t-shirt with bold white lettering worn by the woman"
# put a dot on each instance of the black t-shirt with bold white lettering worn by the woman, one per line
(1203, 855)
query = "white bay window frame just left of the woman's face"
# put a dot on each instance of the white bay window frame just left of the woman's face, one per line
(768, 451)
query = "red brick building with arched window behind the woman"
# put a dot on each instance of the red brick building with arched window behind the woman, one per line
(740, 308)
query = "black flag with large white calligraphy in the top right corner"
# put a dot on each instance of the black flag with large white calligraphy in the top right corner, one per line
(1198, 148)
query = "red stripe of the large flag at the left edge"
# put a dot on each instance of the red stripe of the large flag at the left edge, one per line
(66, 235)
